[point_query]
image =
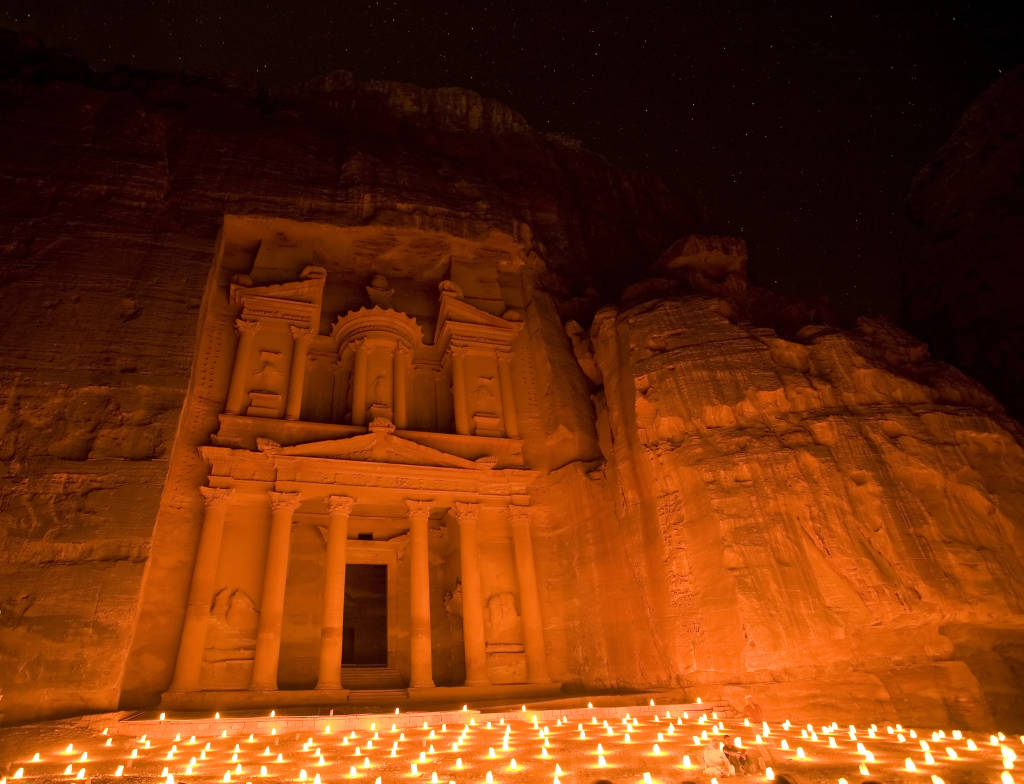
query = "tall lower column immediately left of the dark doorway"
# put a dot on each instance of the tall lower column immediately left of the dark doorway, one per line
(339, 508)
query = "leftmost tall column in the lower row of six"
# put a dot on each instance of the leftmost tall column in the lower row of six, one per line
(190, 662)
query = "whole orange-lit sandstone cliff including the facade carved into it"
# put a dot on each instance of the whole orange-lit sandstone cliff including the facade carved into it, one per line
(227, 314)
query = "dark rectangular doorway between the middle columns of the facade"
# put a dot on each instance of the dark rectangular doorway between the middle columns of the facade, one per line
(365, 633)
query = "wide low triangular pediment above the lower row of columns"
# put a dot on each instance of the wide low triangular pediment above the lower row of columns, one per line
(380, 448)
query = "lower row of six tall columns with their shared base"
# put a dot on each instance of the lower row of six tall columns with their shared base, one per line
(188, 689)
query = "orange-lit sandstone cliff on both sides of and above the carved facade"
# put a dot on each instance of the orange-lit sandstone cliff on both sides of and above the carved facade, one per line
(827, 519)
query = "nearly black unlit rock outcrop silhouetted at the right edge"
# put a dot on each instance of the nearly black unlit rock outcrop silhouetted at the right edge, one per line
(963, 291)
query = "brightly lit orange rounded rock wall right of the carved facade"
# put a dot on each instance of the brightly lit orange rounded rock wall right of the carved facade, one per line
(832, 521)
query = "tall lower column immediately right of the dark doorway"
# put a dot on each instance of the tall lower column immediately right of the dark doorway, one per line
(421, 668)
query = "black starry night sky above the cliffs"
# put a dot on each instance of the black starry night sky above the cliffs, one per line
(798, 126)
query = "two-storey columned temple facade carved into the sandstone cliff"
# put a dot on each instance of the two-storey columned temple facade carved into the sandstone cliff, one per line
(365, 477)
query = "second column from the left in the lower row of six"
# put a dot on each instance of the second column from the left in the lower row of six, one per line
(272, 605)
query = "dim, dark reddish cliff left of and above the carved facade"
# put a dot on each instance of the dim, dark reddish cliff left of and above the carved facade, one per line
(115, 189)
